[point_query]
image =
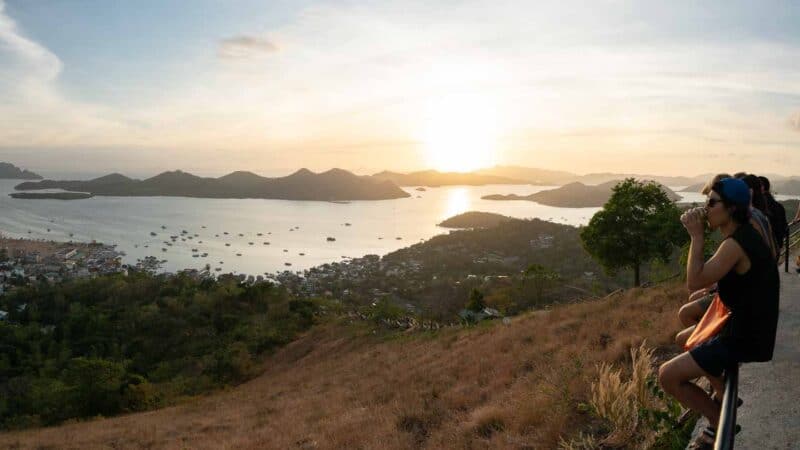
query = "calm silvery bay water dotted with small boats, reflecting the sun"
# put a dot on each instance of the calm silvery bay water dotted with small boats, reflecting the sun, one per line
(290, 227)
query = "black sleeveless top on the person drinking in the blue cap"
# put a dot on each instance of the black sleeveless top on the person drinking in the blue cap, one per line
(752, 298)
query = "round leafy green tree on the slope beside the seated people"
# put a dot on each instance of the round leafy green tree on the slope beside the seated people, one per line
(639, 223)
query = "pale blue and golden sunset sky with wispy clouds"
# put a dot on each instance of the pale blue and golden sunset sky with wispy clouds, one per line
(212, 86)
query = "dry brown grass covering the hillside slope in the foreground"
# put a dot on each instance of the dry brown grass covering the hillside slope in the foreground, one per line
(514, 386)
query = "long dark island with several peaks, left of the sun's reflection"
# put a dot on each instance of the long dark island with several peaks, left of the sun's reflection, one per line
(332, 185)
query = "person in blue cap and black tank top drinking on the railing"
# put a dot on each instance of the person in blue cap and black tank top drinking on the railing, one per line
(748, 285)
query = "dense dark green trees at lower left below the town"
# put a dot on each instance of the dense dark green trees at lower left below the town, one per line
(116, 344)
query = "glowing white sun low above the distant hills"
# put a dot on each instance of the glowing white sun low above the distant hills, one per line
(460, 133)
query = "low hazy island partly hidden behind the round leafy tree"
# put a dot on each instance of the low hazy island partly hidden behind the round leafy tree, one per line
(573, 195)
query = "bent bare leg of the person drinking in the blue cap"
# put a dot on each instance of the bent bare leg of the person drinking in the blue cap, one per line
(675, 377)
